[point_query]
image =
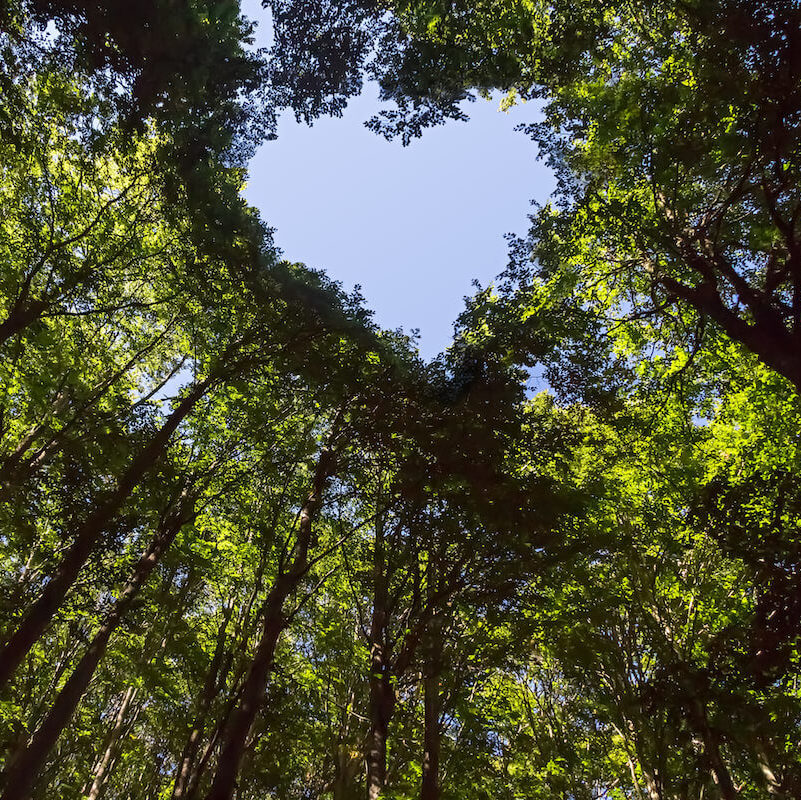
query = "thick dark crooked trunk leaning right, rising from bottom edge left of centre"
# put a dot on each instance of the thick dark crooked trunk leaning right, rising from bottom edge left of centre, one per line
(233, 748)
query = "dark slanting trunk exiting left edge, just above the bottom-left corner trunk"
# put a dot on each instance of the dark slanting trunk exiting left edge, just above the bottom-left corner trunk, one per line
(33, 624)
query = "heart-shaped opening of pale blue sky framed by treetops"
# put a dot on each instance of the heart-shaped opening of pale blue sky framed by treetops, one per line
(413, 226)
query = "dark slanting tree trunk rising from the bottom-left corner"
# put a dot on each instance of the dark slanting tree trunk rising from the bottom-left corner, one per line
(30, 762)
